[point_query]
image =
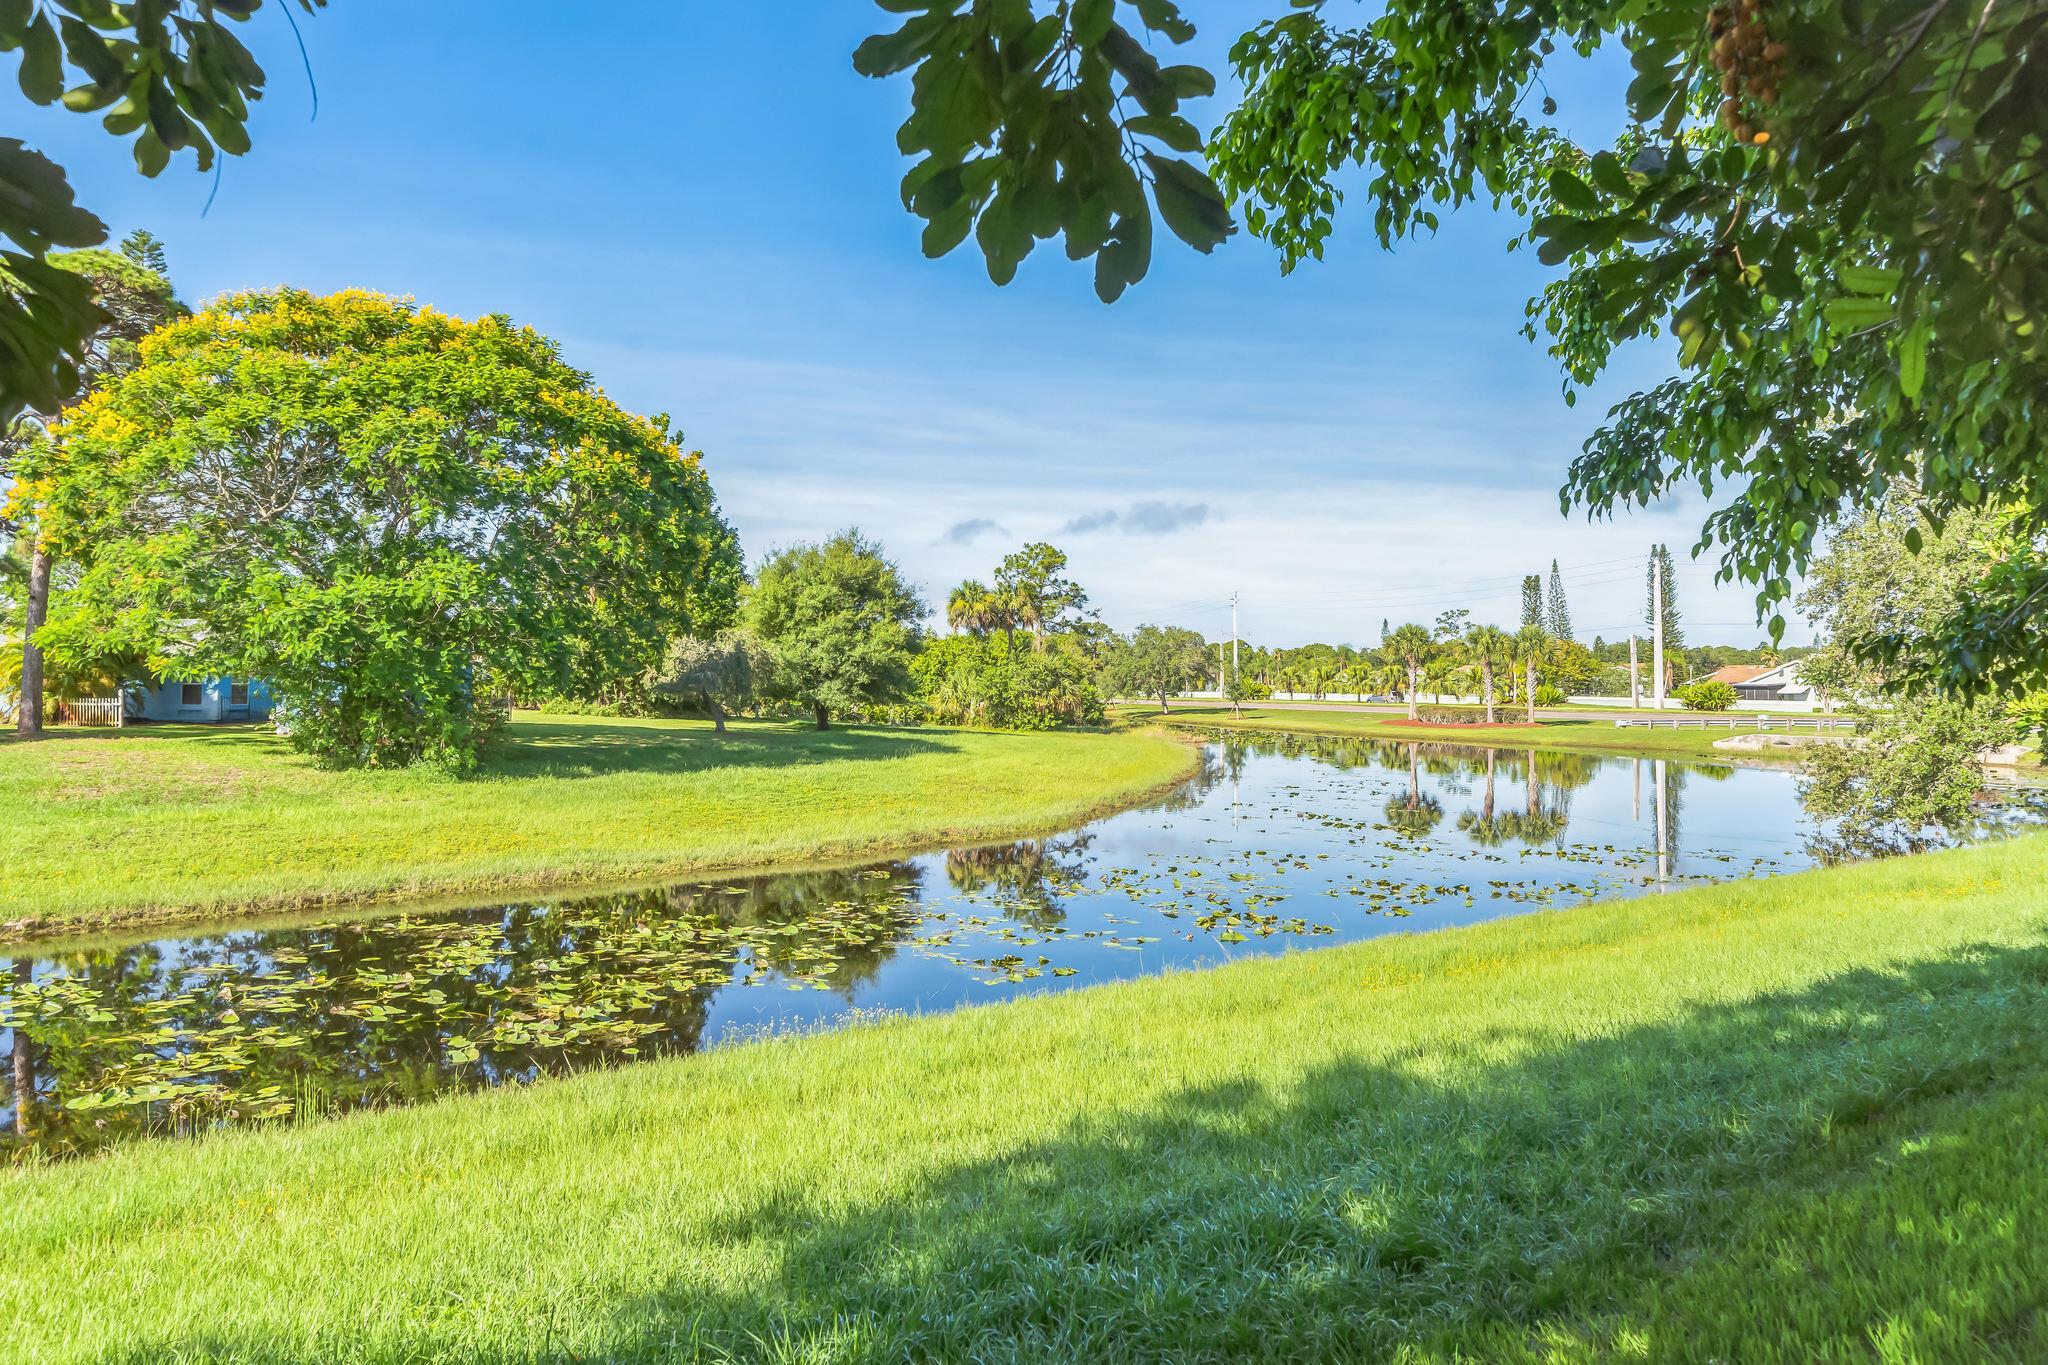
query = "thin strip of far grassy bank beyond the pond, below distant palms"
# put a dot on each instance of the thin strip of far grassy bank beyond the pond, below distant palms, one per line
(1586, 736)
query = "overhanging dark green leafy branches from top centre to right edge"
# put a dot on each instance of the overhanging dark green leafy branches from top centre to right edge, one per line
(1838, 212)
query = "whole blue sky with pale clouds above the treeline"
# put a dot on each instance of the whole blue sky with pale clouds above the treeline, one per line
(699, 204)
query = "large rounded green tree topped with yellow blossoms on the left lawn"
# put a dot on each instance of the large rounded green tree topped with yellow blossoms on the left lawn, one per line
(376, 509)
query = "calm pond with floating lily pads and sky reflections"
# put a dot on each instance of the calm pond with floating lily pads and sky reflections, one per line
(1277, 844)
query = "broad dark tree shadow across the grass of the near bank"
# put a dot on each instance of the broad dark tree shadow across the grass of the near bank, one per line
(1494, 1200)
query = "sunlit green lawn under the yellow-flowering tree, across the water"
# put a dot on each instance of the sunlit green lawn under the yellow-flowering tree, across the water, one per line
(148, 824)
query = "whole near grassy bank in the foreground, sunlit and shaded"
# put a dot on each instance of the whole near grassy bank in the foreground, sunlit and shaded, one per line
(1775, 1120)
